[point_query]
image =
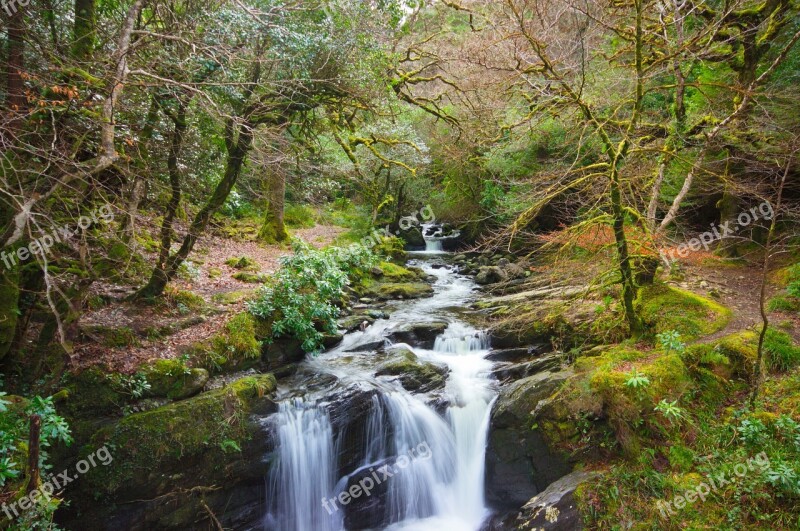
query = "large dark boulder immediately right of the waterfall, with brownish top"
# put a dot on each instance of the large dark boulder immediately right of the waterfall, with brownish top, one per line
(519, 462)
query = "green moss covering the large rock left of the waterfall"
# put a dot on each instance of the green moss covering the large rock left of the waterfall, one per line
(166, 440)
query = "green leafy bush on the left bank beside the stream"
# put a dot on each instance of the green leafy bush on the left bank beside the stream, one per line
(300, 300)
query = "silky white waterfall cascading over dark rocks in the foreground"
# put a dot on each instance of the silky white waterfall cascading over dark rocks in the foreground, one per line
(441, 488)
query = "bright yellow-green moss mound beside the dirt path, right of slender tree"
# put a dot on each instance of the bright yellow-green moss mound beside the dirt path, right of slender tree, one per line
(664, 308)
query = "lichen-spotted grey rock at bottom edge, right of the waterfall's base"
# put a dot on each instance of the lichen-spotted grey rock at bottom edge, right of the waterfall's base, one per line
(555, 508)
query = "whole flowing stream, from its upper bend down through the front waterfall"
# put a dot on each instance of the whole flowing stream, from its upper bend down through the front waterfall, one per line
(433, 442)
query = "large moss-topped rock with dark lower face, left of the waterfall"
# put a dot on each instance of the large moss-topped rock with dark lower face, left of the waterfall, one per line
(206, 440)
